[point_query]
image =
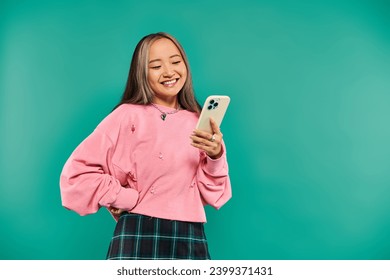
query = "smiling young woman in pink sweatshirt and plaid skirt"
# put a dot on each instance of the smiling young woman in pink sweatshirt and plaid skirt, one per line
(147, 165)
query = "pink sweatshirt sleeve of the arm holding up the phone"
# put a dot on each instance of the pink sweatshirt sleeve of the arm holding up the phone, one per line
(213, 180)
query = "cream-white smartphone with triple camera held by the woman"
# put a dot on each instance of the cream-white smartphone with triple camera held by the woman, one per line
(215, 106)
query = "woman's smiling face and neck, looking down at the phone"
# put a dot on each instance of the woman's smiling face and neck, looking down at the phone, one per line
(167, 71)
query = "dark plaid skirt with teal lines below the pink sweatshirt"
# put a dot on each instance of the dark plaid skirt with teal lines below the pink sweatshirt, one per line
(139, 237)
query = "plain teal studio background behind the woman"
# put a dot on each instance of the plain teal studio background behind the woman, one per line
(307, 132)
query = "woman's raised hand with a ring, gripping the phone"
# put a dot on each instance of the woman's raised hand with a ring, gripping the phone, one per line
(210, 143)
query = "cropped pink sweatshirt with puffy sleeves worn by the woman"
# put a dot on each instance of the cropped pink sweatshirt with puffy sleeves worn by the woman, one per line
(135, 161)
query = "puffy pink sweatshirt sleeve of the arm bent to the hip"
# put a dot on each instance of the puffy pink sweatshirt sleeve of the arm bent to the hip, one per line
(86, 181)
